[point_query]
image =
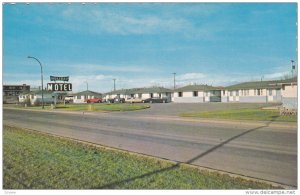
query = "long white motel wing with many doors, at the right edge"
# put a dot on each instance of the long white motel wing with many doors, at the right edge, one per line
(260, 91)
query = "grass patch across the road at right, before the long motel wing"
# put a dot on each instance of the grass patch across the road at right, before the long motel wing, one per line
(244, 114)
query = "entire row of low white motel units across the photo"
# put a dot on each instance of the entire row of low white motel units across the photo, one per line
(282, 91)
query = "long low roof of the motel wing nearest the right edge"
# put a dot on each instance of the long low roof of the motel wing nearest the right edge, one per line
(274, 84)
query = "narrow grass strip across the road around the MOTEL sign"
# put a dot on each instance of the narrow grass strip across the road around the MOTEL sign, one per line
(90, 107)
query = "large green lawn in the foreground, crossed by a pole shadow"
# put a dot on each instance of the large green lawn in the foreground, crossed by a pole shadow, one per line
(38, 161)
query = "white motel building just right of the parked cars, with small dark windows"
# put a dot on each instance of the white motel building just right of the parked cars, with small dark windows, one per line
(197, 94)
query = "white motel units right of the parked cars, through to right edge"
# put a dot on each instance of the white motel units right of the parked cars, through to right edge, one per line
(284, 91)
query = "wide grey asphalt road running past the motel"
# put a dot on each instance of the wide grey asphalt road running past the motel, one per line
(260, 150)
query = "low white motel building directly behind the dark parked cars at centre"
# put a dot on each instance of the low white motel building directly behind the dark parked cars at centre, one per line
(140, 93)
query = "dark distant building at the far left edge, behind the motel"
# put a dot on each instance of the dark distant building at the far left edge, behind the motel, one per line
(12, 92)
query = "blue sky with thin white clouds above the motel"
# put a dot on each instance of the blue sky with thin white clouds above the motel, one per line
(142, 44)
